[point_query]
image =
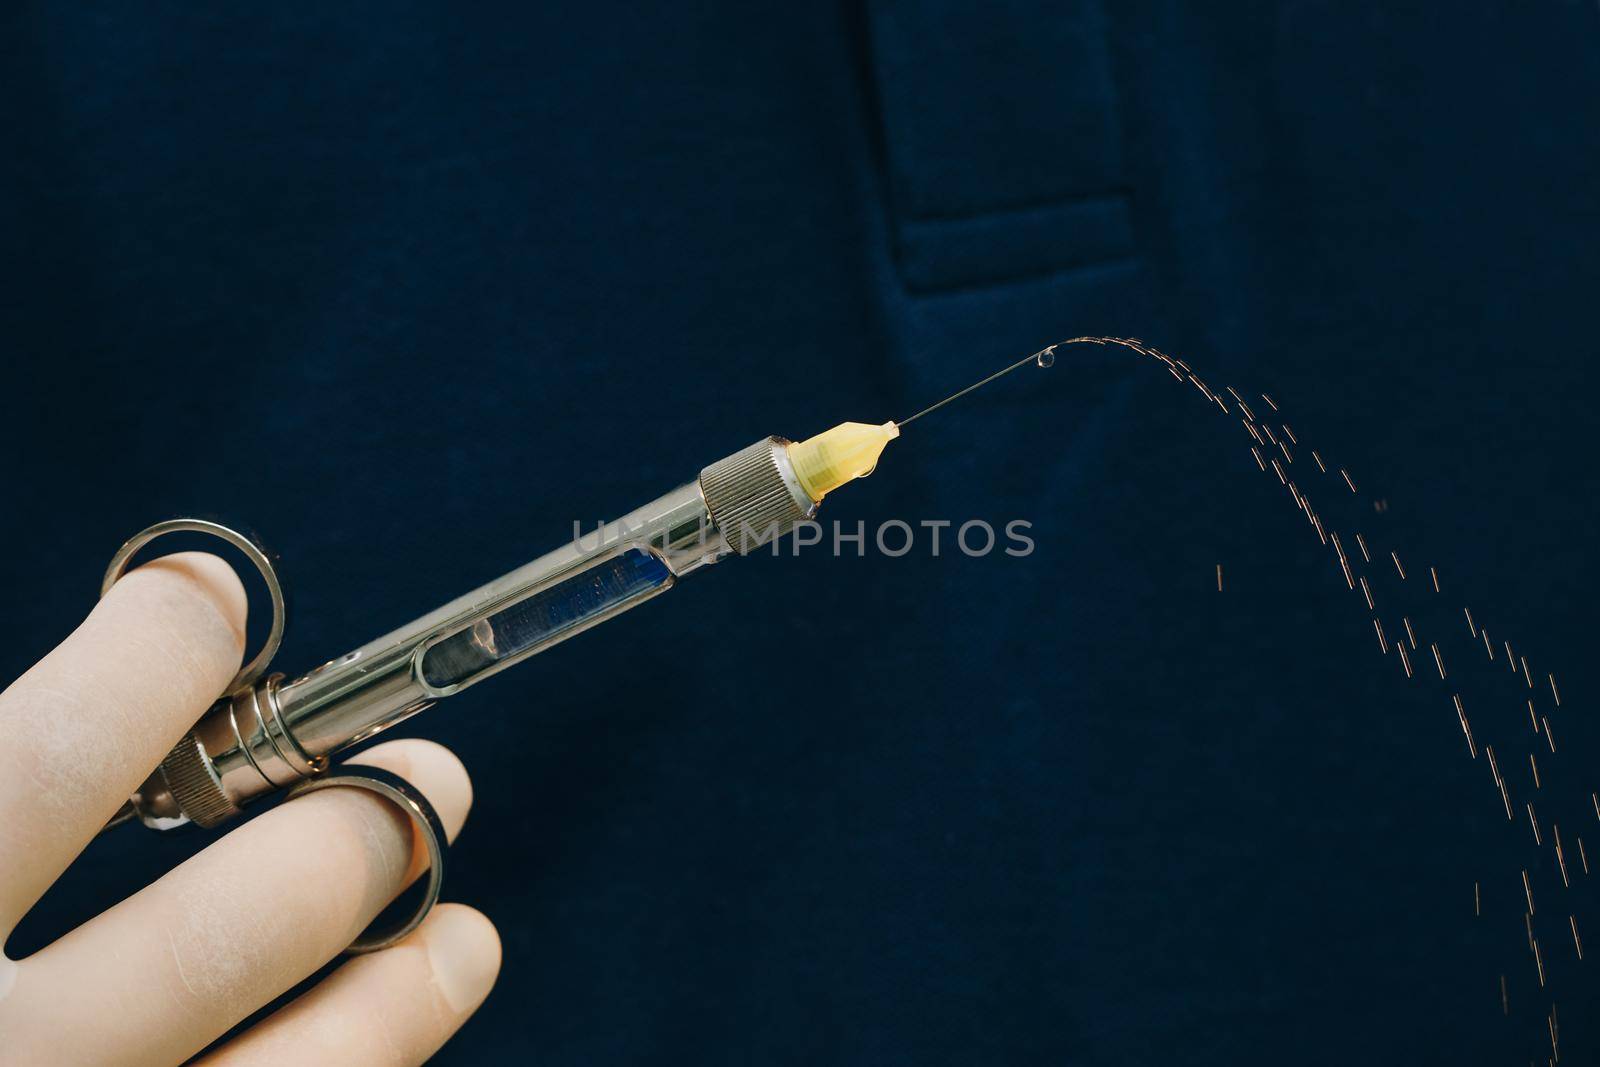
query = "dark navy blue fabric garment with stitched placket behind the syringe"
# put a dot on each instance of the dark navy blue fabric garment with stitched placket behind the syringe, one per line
(414, 287)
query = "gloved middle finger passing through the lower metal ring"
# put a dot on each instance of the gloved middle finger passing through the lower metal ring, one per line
(174, 967)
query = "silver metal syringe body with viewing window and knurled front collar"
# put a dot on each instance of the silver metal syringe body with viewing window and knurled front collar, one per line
(274, 733)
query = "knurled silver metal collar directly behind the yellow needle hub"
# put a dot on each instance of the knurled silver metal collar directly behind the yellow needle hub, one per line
(753, 495)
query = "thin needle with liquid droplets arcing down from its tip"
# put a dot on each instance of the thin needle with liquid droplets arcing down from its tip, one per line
(1486, 725)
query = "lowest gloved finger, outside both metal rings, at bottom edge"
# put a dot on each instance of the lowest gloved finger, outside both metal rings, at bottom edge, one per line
(394, 1007)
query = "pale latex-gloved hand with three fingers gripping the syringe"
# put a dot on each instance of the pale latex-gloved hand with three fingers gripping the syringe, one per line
(167, 972)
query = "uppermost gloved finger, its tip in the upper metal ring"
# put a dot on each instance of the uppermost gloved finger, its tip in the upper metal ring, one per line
(92, 719)
